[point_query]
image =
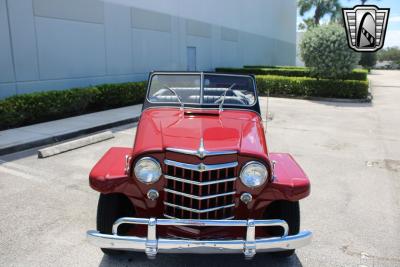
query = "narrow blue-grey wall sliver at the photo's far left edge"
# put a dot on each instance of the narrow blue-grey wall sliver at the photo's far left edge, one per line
(6, 64)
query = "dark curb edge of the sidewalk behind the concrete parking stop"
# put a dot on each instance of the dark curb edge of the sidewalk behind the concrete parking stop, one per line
(64, 136)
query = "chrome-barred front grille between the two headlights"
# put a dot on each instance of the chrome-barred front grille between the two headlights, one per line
(199, 191)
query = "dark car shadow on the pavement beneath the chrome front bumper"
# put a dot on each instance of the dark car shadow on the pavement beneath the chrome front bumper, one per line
(140, 259)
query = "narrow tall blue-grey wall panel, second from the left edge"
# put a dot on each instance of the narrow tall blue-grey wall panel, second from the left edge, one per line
(23, 39)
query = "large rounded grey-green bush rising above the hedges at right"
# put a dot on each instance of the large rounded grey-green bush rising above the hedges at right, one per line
(324, 49)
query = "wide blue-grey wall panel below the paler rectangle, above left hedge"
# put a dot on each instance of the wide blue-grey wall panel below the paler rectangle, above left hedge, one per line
(70, 49)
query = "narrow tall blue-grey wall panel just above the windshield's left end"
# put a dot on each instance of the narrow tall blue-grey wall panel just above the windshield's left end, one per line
(118, 39)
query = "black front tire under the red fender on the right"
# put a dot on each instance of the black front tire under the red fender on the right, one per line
(288, 211)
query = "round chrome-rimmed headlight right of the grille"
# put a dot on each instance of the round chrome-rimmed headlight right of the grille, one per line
(253, 174)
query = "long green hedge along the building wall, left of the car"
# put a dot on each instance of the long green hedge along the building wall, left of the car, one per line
(38, 107)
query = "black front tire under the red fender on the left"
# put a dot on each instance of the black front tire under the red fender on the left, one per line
(110, 208)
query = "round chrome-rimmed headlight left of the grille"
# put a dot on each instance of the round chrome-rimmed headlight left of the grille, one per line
(147, 170)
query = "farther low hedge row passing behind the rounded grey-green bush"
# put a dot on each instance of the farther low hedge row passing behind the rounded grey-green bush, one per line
(357, 74)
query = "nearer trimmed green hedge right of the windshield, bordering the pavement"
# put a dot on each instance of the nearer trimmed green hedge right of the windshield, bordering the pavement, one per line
(306, 87)
